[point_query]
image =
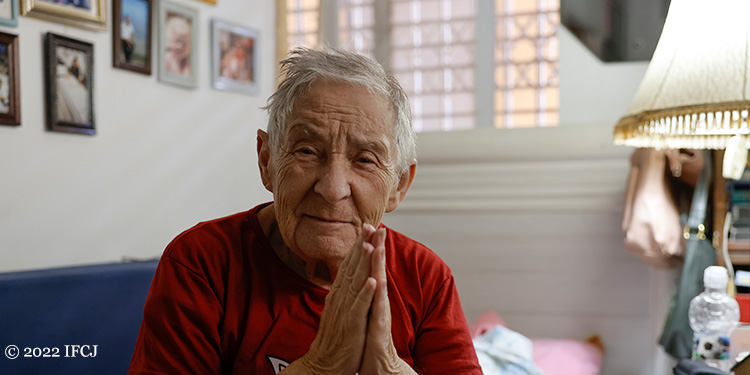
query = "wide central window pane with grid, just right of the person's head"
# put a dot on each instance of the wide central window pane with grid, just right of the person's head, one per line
(432, 53)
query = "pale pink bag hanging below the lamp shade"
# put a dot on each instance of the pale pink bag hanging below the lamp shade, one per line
(651, 222)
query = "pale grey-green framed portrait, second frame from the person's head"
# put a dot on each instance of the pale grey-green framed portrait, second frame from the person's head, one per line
(178, 44)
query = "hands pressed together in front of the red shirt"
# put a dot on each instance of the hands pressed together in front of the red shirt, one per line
(355, 326)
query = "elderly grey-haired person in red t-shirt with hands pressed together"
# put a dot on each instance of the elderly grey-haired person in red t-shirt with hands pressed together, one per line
(312, 283)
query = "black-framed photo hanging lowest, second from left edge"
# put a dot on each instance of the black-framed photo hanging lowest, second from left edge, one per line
(69, 68)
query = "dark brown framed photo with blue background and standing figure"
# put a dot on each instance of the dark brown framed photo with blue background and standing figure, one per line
(131, 35)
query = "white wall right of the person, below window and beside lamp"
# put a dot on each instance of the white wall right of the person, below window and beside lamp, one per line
(529, 220)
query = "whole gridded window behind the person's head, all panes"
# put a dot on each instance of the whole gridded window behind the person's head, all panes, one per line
(441, 50)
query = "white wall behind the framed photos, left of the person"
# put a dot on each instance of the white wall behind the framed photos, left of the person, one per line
(163, 157)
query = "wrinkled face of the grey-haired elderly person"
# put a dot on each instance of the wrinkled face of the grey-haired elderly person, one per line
(334, 169)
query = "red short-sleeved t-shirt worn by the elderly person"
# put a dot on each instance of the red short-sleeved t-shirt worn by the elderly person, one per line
(222, 302)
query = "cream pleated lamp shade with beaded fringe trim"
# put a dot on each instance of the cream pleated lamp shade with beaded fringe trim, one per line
(696, 90)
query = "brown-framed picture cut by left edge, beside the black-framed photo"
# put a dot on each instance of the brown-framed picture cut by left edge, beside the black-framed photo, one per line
(10, 105)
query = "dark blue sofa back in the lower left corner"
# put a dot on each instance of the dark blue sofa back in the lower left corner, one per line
(98, 305)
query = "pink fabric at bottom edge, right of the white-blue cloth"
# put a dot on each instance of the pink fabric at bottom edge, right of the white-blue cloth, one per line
(566, 357)
